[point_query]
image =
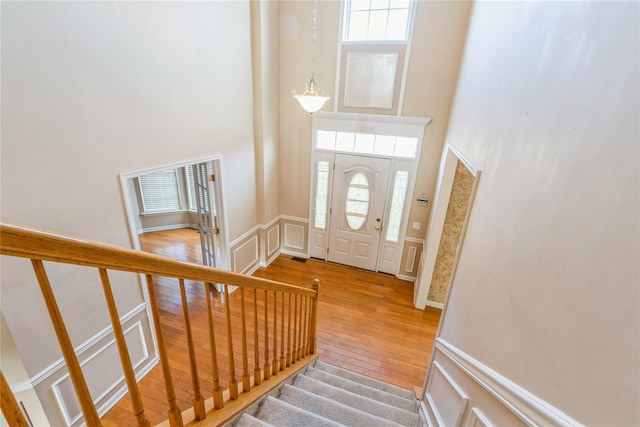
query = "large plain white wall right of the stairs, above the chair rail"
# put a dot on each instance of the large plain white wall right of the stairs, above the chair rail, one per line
(546, 293)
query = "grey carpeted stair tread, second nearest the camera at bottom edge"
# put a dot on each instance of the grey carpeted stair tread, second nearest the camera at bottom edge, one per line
(282, 414)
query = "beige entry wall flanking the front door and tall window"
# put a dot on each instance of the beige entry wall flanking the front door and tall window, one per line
(436, 51)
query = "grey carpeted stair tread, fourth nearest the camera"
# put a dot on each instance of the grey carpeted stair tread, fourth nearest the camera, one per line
(374, 407)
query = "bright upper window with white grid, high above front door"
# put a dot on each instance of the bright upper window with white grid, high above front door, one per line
(377, 20)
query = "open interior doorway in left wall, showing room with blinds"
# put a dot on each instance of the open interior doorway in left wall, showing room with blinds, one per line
(181, 195)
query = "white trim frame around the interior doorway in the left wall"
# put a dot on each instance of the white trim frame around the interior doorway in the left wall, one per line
(127, 197)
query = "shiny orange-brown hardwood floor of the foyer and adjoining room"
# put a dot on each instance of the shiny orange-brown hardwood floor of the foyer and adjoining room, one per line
(366, 323)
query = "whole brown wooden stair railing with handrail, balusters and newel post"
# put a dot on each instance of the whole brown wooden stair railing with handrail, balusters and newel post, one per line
(288, 319)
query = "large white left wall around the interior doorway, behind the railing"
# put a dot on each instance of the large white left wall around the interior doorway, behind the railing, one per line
(94, 89)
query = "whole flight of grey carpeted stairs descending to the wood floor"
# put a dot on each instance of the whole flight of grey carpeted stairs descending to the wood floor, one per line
(325, 395)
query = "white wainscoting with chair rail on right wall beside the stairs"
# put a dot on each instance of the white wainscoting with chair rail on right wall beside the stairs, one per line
(491, 399)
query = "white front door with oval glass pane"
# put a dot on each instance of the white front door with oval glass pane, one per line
(357, 209)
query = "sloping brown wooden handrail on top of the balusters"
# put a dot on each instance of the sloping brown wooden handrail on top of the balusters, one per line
(28, 243)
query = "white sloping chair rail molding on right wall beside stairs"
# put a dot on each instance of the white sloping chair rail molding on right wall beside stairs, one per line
(523, 404)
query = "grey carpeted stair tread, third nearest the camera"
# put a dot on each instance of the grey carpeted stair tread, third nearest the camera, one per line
(330, 409)
